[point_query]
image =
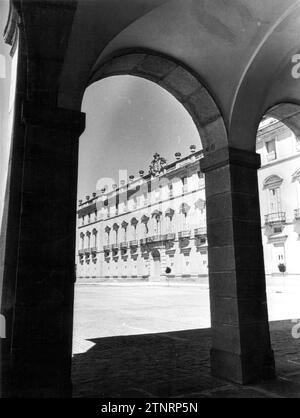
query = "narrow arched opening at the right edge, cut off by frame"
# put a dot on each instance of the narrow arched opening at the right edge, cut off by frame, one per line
(278, 146)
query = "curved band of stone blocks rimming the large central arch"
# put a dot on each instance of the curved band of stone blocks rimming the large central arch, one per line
(181, 82)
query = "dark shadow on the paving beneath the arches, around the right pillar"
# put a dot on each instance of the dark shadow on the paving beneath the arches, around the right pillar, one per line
(176, 364)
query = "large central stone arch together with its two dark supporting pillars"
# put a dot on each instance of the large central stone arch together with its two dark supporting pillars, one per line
(39, 297)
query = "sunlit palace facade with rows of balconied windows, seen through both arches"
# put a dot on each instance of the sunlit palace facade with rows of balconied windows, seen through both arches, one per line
(153, 227)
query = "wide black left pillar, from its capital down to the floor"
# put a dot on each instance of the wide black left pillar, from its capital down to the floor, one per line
(38, 238)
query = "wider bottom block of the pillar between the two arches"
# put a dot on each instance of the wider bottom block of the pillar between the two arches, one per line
(242, 368)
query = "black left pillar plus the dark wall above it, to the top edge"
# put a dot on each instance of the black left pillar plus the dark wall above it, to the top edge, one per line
(37, 245)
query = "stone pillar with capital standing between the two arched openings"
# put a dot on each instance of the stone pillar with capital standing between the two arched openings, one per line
(241, 349)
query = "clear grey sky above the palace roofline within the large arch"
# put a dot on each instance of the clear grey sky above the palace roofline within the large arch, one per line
(128, 119)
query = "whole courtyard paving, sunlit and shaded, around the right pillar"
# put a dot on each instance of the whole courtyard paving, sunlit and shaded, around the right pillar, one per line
(154, 341)
